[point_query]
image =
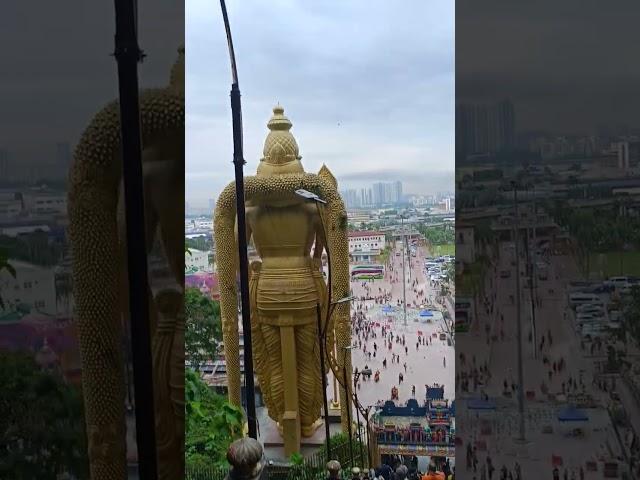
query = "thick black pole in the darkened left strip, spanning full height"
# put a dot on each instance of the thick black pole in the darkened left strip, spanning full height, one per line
(128, 54)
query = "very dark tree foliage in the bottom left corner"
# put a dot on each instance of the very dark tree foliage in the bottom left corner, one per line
(42, 429)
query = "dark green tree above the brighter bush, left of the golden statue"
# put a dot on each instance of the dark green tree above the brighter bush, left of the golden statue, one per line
(204, 328)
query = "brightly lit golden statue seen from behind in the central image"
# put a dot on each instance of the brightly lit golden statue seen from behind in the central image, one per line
(287, 283)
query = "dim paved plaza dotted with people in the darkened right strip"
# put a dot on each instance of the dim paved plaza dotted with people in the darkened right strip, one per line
(499, 351)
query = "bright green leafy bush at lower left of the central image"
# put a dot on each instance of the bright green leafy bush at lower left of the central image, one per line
(212, 424)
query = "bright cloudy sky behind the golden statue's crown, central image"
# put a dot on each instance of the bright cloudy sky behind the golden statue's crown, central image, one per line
(367, 84)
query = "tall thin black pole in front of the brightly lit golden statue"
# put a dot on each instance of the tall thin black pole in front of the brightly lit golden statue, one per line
(238, 161)
